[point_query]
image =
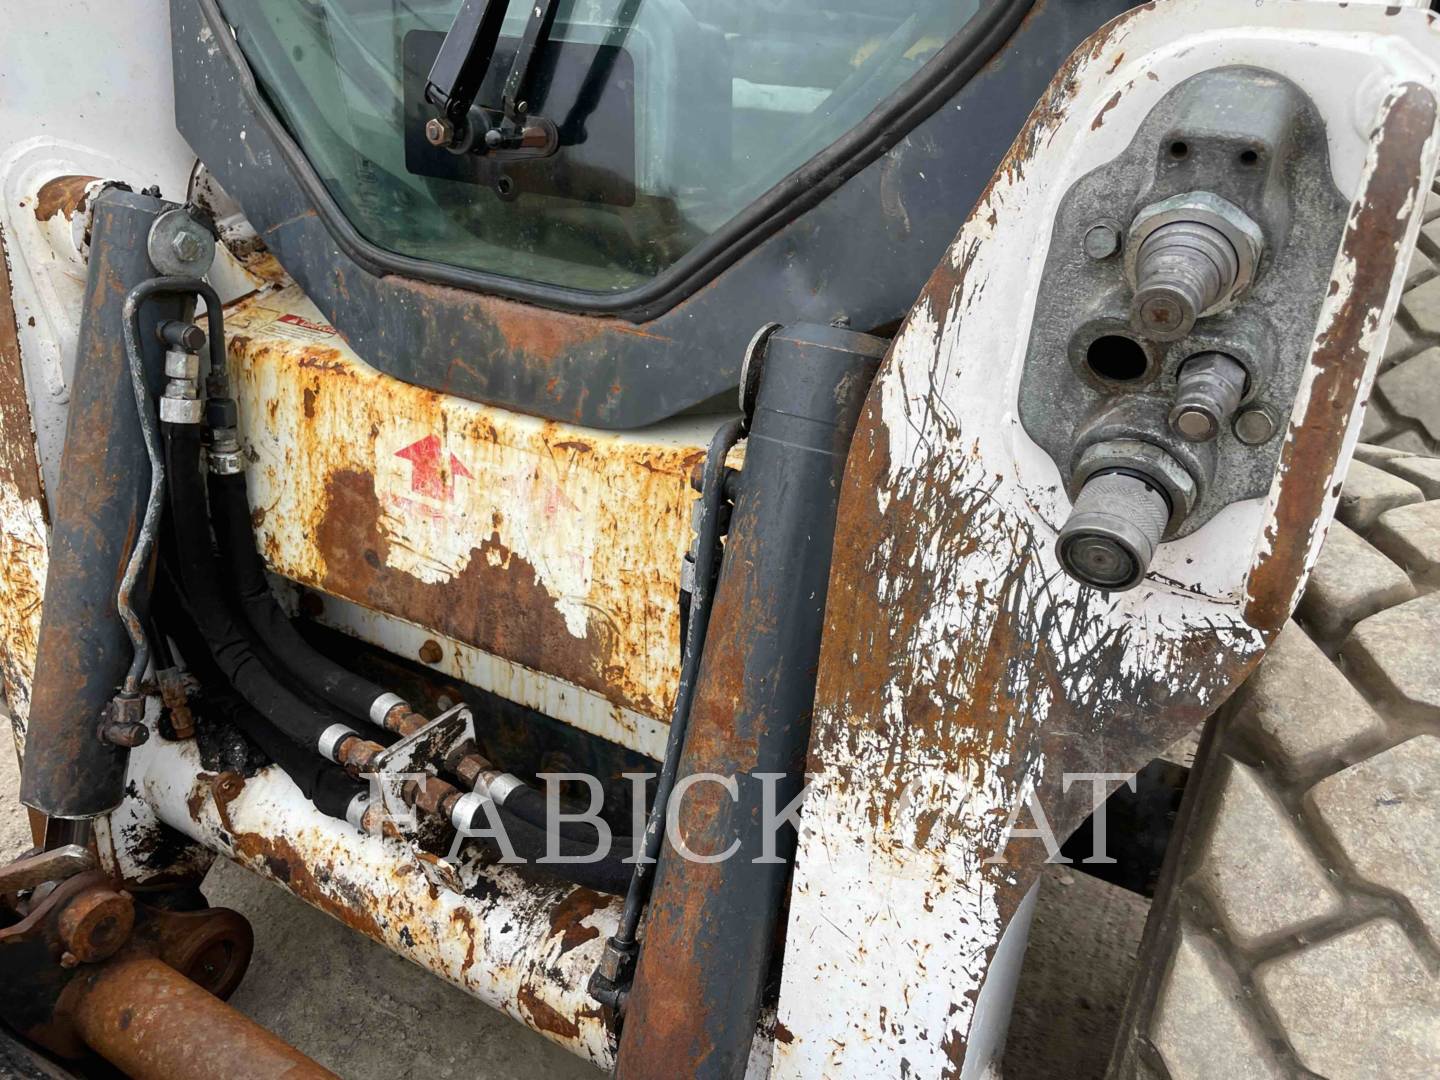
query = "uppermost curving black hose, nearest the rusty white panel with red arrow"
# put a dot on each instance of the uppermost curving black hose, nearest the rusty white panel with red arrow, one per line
(231, 516)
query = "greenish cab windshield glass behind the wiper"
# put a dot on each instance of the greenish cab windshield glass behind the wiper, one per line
(673, 116)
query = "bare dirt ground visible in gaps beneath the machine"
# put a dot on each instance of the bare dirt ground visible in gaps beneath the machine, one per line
(368, 1014)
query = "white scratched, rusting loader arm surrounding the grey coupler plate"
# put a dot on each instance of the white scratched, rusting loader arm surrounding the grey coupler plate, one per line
(961, 670)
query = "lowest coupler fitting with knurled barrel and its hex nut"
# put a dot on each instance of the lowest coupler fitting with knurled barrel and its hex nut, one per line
(1131, 493)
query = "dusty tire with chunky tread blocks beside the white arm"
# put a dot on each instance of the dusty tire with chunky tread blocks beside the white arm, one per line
(1297, 925)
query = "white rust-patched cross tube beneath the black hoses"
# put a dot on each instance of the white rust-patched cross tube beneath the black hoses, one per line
(519, 942)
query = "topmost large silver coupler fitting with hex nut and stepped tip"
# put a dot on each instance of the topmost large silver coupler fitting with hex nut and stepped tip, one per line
(1189, 257)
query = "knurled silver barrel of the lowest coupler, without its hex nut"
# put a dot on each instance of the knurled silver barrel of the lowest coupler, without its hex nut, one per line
(1114, 531)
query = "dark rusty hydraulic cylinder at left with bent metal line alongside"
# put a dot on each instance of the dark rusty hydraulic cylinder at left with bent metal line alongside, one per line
(84, 650)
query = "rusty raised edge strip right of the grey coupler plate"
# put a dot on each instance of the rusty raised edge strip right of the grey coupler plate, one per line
(1373, 244)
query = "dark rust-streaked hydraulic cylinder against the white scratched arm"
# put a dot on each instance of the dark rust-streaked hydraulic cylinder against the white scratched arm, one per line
(709, 942)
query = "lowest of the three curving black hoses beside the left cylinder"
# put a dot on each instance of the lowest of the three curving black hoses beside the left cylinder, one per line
(329, 787)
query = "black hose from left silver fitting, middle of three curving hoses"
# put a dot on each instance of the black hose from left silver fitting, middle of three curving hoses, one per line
(199, 575)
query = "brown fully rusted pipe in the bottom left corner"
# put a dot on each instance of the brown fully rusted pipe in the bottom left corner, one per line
(155, 1025)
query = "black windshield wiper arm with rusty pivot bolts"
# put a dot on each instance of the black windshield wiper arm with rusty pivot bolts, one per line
(460, 70)
